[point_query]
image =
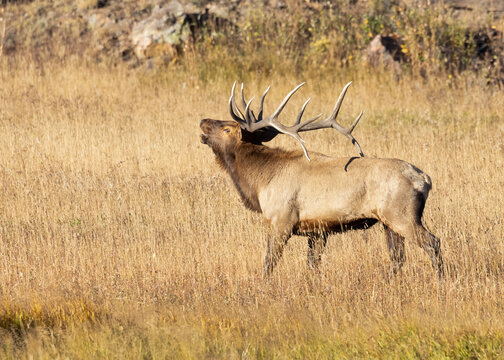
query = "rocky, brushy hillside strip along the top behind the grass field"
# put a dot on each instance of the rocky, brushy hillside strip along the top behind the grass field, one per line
(396, 34)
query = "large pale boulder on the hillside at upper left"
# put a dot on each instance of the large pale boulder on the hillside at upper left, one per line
(161, 32)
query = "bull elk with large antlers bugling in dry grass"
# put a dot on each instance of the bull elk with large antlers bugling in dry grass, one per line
(316, 195)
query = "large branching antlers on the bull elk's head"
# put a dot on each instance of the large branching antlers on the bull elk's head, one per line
(266, 129)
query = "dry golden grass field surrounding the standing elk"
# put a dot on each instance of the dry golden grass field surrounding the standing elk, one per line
(120, 237)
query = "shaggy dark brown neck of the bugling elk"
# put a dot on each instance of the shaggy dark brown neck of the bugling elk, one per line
(251, 168)
